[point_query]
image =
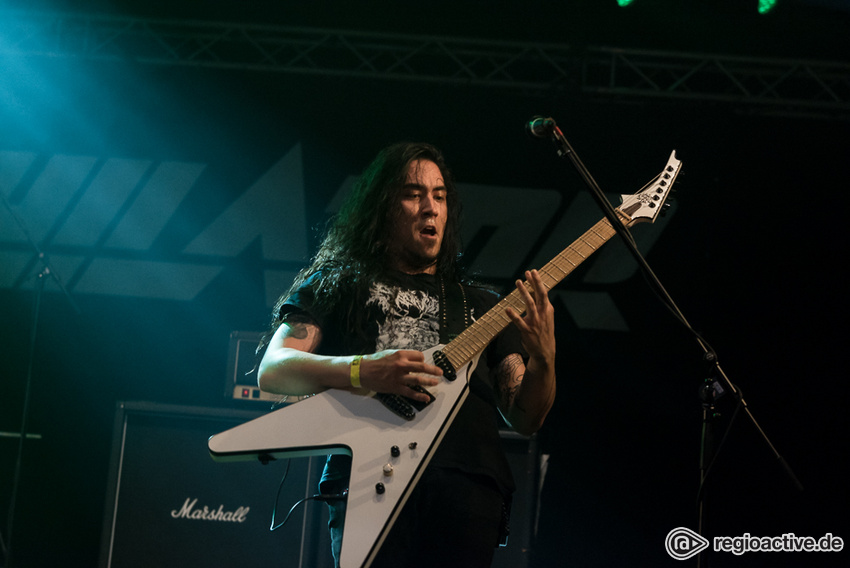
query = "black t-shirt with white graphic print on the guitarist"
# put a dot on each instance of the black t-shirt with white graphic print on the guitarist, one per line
(402, 311)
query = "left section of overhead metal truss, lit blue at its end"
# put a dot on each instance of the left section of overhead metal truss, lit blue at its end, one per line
(282, 49)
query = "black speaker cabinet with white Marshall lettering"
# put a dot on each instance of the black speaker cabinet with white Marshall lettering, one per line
(169, 504)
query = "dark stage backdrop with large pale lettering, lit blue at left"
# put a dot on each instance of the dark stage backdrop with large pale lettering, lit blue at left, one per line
(175, 202)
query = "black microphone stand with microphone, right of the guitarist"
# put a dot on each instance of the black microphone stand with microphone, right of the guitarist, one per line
(712, 388)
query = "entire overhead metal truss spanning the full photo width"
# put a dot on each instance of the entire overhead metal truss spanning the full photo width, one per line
(757, 85)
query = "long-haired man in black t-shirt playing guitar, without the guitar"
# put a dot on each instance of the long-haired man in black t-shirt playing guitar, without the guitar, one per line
(385, 286)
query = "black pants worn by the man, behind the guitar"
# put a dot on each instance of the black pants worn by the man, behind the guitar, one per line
(450, 520)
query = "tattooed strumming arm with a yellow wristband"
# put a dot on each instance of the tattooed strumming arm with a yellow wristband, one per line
(291, 366)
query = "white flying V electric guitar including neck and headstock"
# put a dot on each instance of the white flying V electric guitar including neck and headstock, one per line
(390, 448)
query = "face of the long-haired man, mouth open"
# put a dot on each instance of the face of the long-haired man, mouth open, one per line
(421, 222)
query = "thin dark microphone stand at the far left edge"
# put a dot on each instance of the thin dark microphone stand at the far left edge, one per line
(44, 272)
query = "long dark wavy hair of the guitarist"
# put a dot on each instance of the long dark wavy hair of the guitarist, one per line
(355, 250)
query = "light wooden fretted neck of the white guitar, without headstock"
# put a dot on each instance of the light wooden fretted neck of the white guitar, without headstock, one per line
(476, 337)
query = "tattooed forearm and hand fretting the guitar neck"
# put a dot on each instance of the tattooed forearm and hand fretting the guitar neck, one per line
(527, 392)
